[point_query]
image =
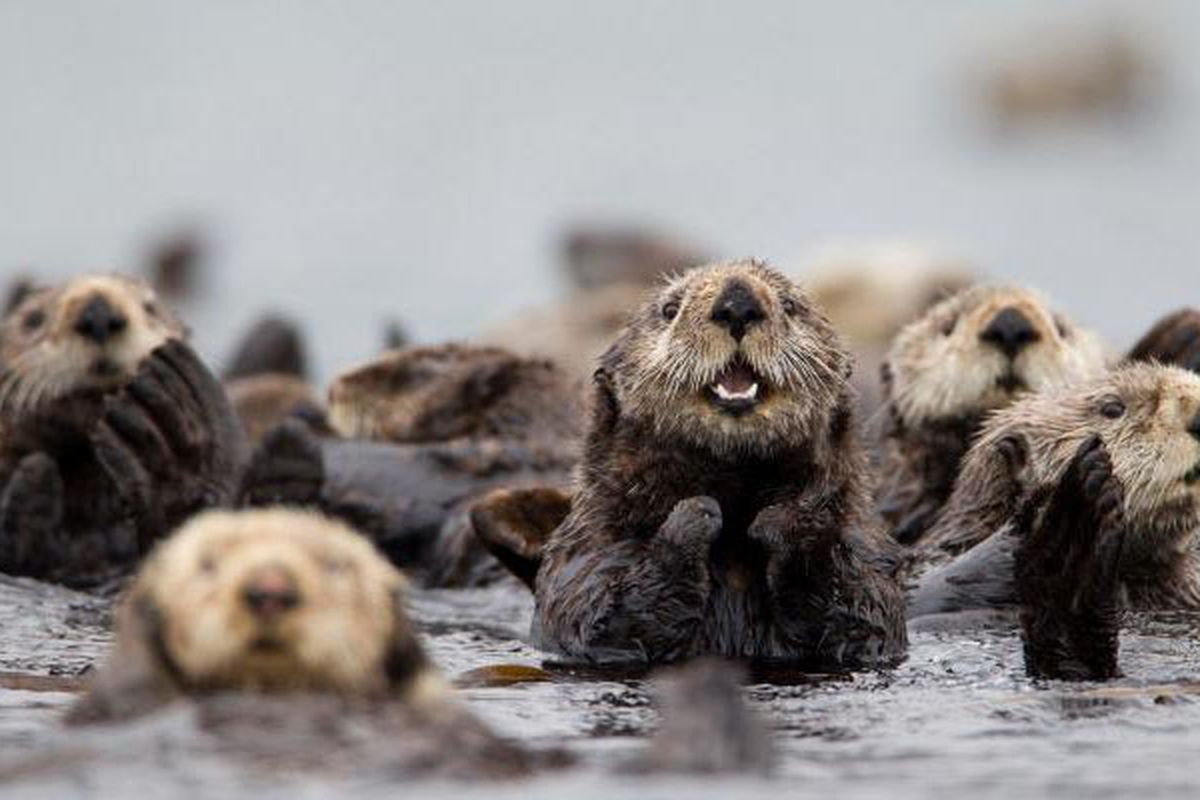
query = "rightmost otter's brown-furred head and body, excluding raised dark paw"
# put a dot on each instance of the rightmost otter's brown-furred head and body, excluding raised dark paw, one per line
(1142, 416)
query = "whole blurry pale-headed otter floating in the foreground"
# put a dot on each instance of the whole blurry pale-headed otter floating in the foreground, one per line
(271, 618)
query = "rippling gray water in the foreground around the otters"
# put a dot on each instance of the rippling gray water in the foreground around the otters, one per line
(957, 718)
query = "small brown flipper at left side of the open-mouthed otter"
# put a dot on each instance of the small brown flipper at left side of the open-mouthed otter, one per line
(515, 525)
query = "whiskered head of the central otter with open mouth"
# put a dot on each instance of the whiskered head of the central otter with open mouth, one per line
(734, 358)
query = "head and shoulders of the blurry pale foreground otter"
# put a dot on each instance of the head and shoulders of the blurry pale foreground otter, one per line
(262, 601)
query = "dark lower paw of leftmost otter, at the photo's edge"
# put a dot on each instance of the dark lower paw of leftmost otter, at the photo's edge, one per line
(31, 516)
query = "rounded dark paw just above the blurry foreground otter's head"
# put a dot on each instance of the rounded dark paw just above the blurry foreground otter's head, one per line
(287, 470)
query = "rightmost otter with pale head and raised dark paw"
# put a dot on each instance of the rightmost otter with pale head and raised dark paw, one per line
(1076, 501)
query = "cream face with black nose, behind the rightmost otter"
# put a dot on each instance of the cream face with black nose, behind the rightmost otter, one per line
(983, 348)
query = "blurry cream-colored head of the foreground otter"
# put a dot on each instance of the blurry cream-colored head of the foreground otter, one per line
(274, 601)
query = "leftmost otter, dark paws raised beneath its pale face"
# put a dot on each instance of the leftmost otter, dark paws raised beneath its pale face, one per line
(112, 430)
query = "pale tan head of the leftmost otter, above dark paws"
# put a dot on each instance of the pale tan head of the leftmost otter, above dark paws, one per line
(87, 334)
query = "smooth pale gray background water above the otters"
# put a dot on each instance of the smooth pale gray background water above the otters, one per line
(355, 163)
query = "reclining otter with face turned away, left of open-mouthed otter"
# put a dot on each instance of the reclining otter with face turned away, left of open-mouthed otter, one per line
(430, 430)
